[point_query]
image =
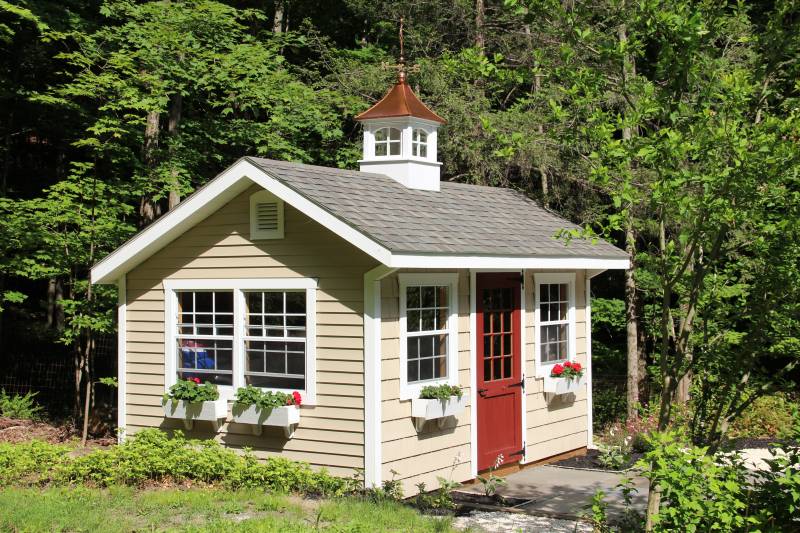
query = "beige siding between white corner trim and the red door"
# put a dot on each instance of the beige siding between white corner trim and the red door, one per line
(421, 457)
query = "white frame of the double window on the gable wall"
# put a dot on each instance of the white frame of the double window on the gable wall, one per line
(239, 287)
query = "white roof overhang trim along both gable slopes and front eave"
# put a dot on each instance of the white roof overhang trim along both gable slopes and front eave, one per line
(242, 174)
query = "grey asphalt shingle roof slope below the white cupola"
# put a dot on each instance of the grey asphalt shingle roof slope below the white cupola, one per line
(459, 219)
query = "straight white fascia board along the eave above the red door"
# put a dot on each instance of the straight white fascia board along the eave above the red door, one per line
(479, 262)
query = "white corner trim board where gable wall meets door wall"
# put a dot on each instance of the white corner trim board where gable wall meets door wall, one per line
(373, 442)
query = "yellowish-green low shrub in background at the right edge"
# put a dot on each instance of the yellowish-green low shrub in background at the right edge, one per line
(768, 417)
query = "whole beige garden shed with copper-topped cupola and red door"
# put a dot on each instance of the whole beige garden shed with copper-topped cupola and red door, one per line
(358, 289)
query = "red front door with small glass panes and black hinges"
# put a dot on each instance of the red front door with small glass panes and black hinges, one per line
(499, 376)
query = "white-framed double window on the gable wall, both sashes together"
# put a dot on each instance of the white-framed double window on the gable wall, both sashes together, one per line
(239, 332)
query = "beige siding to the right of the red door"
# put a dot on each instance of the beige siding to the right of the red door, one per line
(560, 425)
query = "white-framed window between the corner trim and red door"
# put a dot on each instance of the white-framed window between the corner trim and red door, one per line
(428, 331)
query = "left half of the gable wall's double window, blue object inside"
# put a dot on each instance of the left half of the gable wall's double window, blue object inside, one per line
(205, 336)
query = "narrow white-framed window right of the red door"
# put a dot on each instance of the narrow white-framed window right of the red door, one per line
(555, 318)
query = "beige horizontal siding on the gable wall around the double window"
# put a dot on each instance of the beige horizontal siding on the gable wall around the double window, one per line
(330, 433)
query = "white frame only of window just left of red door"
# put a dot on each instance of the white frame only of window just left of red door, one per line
(412, 390)
